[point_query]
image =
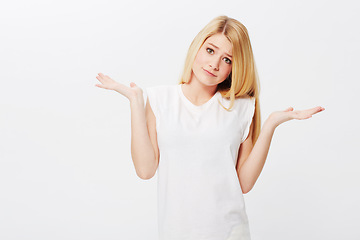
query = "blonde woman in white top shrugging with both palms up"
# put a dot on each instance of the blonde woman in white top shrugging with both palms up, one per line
(202, 136)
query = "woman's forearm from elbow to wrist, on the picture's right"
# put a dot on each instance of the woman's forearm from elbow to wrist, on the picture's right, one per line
(253, 165)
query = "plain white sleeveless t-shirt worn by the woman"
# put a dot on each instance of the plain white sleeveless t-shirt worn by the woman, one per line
(199, 193)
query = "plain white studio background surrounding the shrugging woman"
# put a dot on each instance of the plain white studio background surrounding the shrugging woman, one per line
(65, 163)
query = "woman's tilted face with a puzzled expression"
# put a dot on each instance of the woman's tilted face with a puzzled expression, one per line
(212, 64)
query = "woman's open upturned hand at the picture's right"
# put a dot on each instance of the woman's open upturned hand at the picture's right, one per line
(279, 117)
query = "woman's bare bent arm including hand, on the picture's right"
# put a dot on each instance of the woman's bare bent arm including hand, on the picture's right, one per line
(250, 169)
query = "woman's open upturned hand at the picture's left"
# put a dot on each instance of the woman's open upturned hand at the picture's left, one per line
(133, 92)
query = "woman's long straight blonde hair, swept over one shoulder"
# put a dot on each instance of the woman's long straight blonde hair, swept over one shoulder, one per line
(243, 81)
